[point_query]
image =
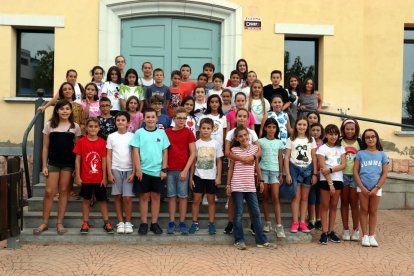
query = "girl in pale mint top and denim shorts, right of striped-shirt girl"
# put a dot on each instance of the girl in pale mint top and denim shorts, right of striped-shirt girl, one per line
(271, 165)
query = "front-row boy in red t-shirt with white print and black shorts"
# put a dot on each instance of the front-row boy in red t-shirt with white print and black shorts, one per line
(90, 172)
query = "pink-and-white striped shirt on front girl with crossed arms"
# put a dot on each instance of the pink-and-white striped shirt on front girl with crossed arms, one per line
(243, 174)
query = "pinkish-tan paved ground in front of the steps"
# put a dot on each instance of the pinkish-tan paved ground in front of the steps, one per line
(393, 257)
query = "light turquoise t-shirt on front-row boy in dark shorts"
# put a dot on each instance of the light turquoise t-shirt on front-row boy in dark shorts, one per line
(150, 144)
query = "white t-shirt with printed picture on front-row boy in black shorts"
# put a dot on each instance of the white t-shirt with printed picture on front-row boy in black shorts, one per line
(207, 152)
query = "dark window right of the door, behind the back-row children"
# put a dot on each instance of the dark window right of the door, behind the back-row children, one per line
(301, 59)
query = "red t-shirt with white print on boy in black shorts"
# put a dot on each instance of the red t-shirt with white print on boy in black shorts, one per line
(91, 153)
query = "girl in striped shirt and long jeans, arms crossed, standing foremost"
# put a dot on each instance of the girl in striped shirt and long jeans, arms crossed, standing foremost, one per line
(241, 185)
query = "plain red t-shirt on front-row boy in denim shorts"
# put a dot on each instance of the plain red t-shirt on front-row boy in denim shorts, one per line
(178, 151)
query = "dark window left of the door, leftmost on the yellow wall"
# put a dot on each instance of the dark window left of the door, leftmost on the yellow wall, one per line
(34, 62)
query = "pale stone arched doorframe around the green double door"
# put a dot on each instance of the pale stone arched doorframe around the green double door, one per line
(111, 12)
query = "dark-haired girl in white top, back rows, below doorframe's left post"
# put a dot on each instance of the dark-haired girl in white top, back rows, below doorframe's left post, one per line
(111, 88)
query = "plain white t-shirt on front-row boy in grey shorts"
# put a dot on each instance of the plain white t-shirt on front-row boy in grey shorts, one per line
(121, 151)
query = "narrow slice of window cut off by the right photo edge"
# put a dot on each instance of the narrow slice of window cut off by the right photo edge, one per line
(408, 79)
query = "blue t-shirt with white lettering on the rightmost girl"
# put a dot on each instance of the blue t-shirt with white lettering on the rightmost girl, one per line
(370, 167)
